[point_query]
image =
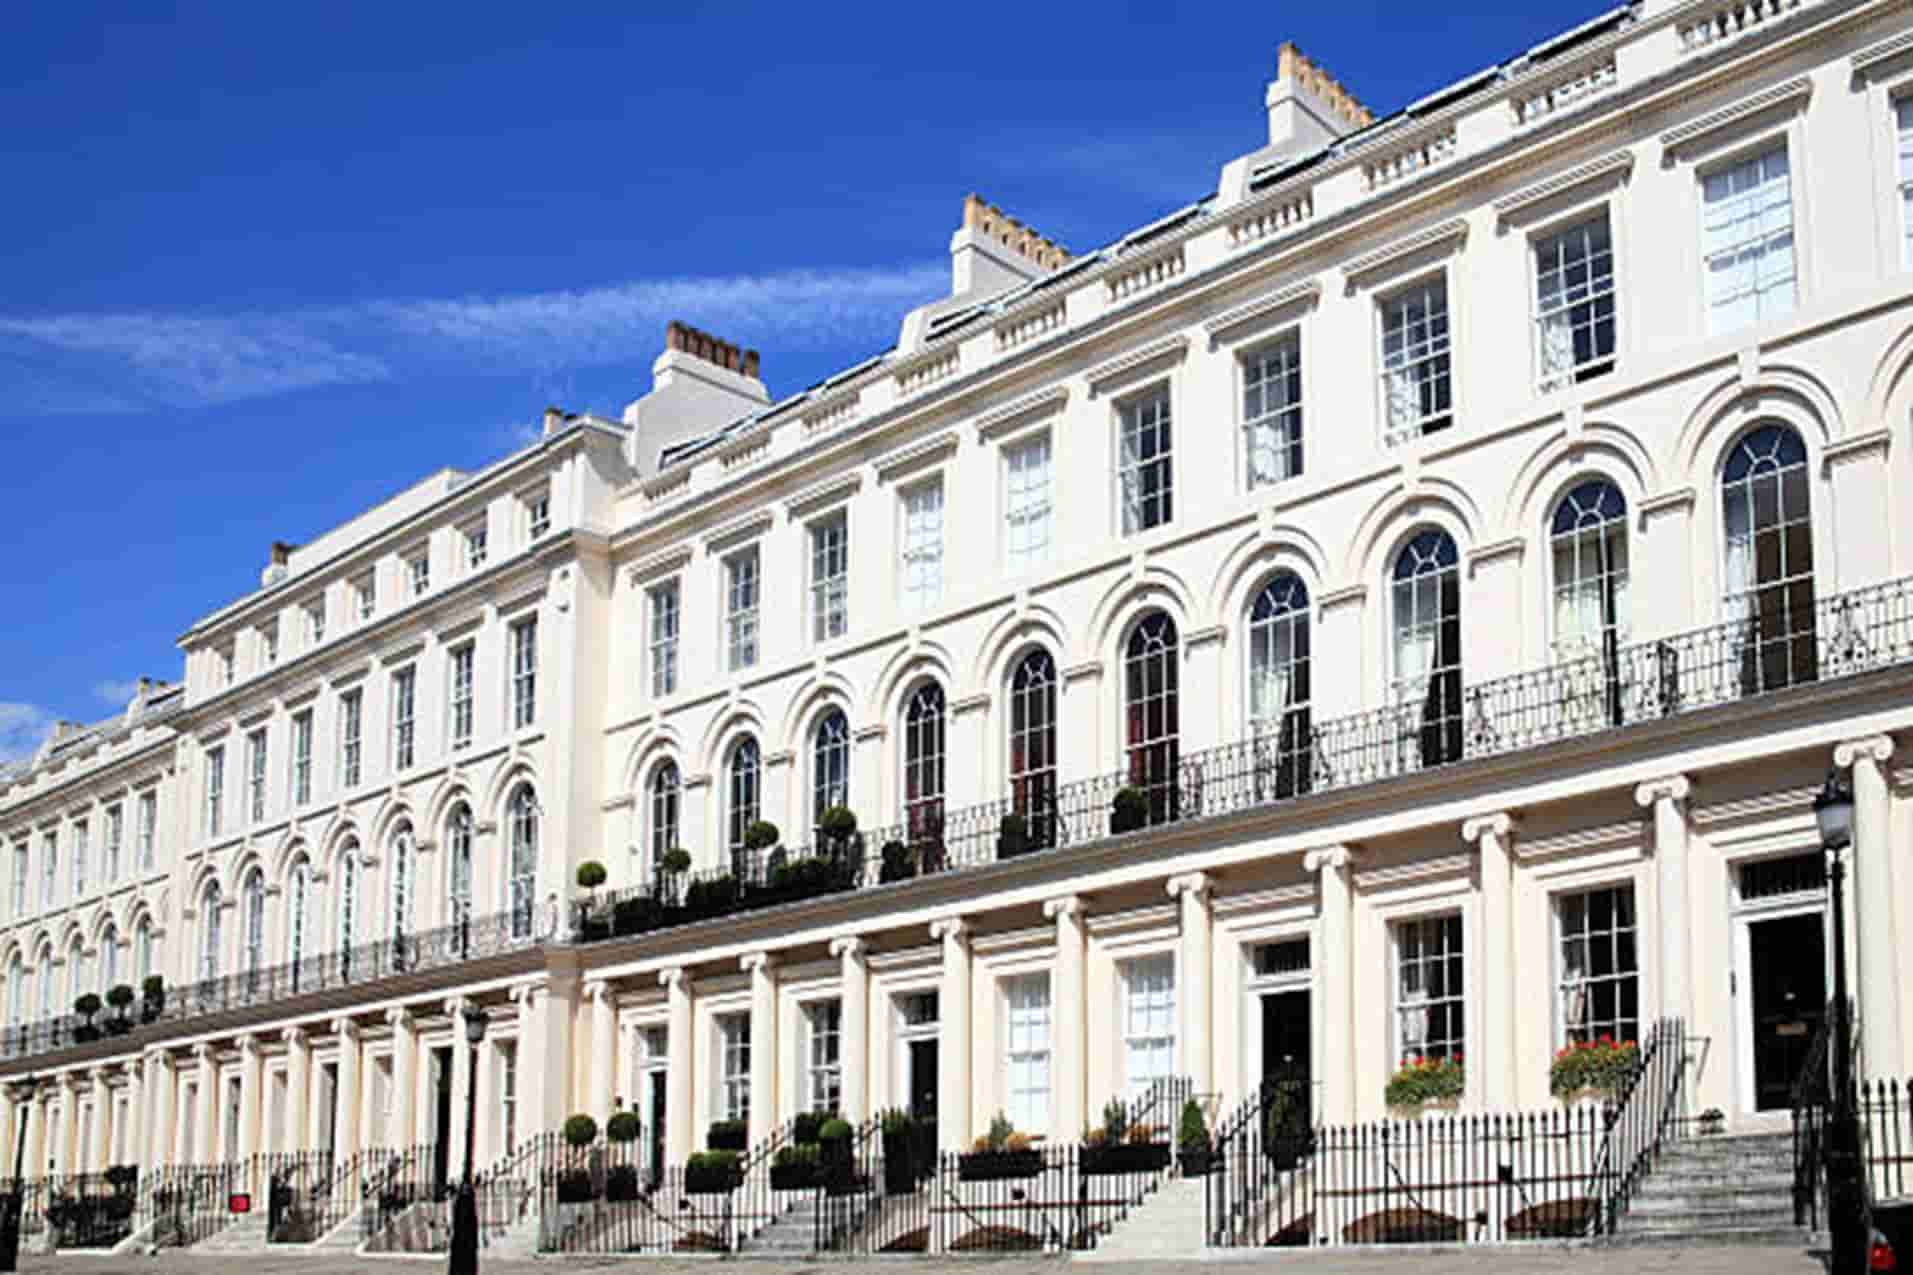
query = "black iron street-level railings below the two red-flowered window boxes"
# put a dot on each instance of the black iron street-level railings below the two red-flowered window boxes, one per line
(1275, 1178)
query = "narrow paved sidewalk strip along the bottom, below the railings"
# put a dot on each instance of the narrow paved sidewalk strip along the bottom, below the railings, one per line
(1696, 1261)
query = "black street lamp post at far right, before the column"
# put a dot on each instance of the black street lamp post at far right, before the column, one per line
(1847, 1201)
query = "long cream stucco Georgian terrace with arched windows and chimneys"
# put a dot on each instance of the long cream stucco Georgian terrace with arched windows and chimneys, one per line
(1397, 606)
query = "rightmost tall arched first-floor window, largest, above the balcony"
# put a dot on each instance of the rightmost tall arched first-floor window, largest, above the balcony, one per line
(1769, 522)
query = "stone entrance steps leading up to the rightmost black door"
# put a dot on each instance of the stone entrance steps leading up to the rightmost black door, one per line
(1717, 1192)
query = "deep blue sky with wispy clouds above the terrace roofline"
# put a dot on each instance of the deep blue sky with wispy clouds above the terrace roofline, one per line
(263, 265)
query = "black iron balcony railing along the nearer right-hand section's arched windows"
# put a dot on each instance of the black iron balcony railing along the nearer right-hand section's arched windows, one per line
(1606, 690)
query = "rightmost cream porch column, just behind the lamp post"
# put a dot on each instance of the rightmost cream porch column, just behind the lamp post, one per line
(1872, 895)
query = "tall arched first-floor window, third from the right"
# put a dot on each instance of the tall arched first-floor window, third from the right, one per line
(1428, 646)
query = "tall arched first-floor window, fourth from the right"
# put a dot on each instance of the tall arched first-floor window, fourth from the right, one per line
(1279, 686)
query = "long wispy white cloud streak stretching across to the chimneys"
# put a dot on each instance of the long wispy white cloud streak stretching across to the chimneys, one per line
(131, 361)
